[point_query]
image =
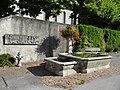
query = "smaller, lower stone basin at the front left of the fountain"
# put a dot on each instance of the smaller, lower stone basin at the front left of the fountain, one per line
(60, 68)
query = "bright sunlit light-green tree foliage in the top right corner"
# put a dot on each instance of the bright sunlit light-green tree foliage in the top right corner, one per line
(106, 9)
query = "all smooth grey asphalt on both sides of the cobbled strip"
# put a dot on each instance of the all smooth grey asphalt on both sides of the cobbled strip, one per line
(24, 81)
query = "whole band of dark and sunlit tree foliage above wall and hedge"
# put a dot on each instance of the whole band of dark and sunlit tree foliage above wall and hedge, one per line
(100, 13)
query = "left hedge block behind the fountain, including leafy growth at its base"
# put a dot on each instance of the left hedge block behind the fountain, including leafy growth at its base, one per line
(90, 36)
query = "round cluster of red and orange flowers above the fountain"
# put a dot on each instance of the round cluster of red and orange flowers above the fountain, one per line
(70, 32)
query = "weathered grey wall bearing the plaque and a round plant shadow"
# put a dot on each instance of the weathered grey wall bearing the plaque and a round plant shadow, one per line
(14, 28)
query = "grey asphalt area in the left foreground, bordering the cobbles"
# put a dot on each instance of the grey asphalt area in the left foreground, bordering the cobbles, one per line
(23, 82)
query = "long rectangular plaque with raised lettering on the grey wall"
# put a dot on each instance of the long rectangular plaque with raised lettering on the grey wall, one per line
(15, 39)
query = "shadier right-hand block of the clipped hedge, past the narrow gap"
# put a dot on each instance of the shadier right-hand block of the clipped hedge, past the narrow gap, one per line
(112, 40)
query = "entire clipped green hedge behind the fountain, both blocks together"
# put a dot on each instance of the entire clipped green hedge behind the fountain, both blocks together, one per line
(108, 40)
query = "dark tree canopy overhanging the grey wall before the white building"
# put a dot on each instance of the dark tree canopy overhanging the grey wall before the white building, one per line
(34, 7)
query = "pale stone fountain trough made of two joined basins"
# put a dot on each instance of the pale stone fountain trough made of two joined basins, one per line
(67, 64)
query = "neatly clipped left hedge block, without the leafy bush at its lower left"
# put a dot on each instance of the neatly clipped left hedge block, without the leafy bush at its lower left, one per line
(94, 36)
